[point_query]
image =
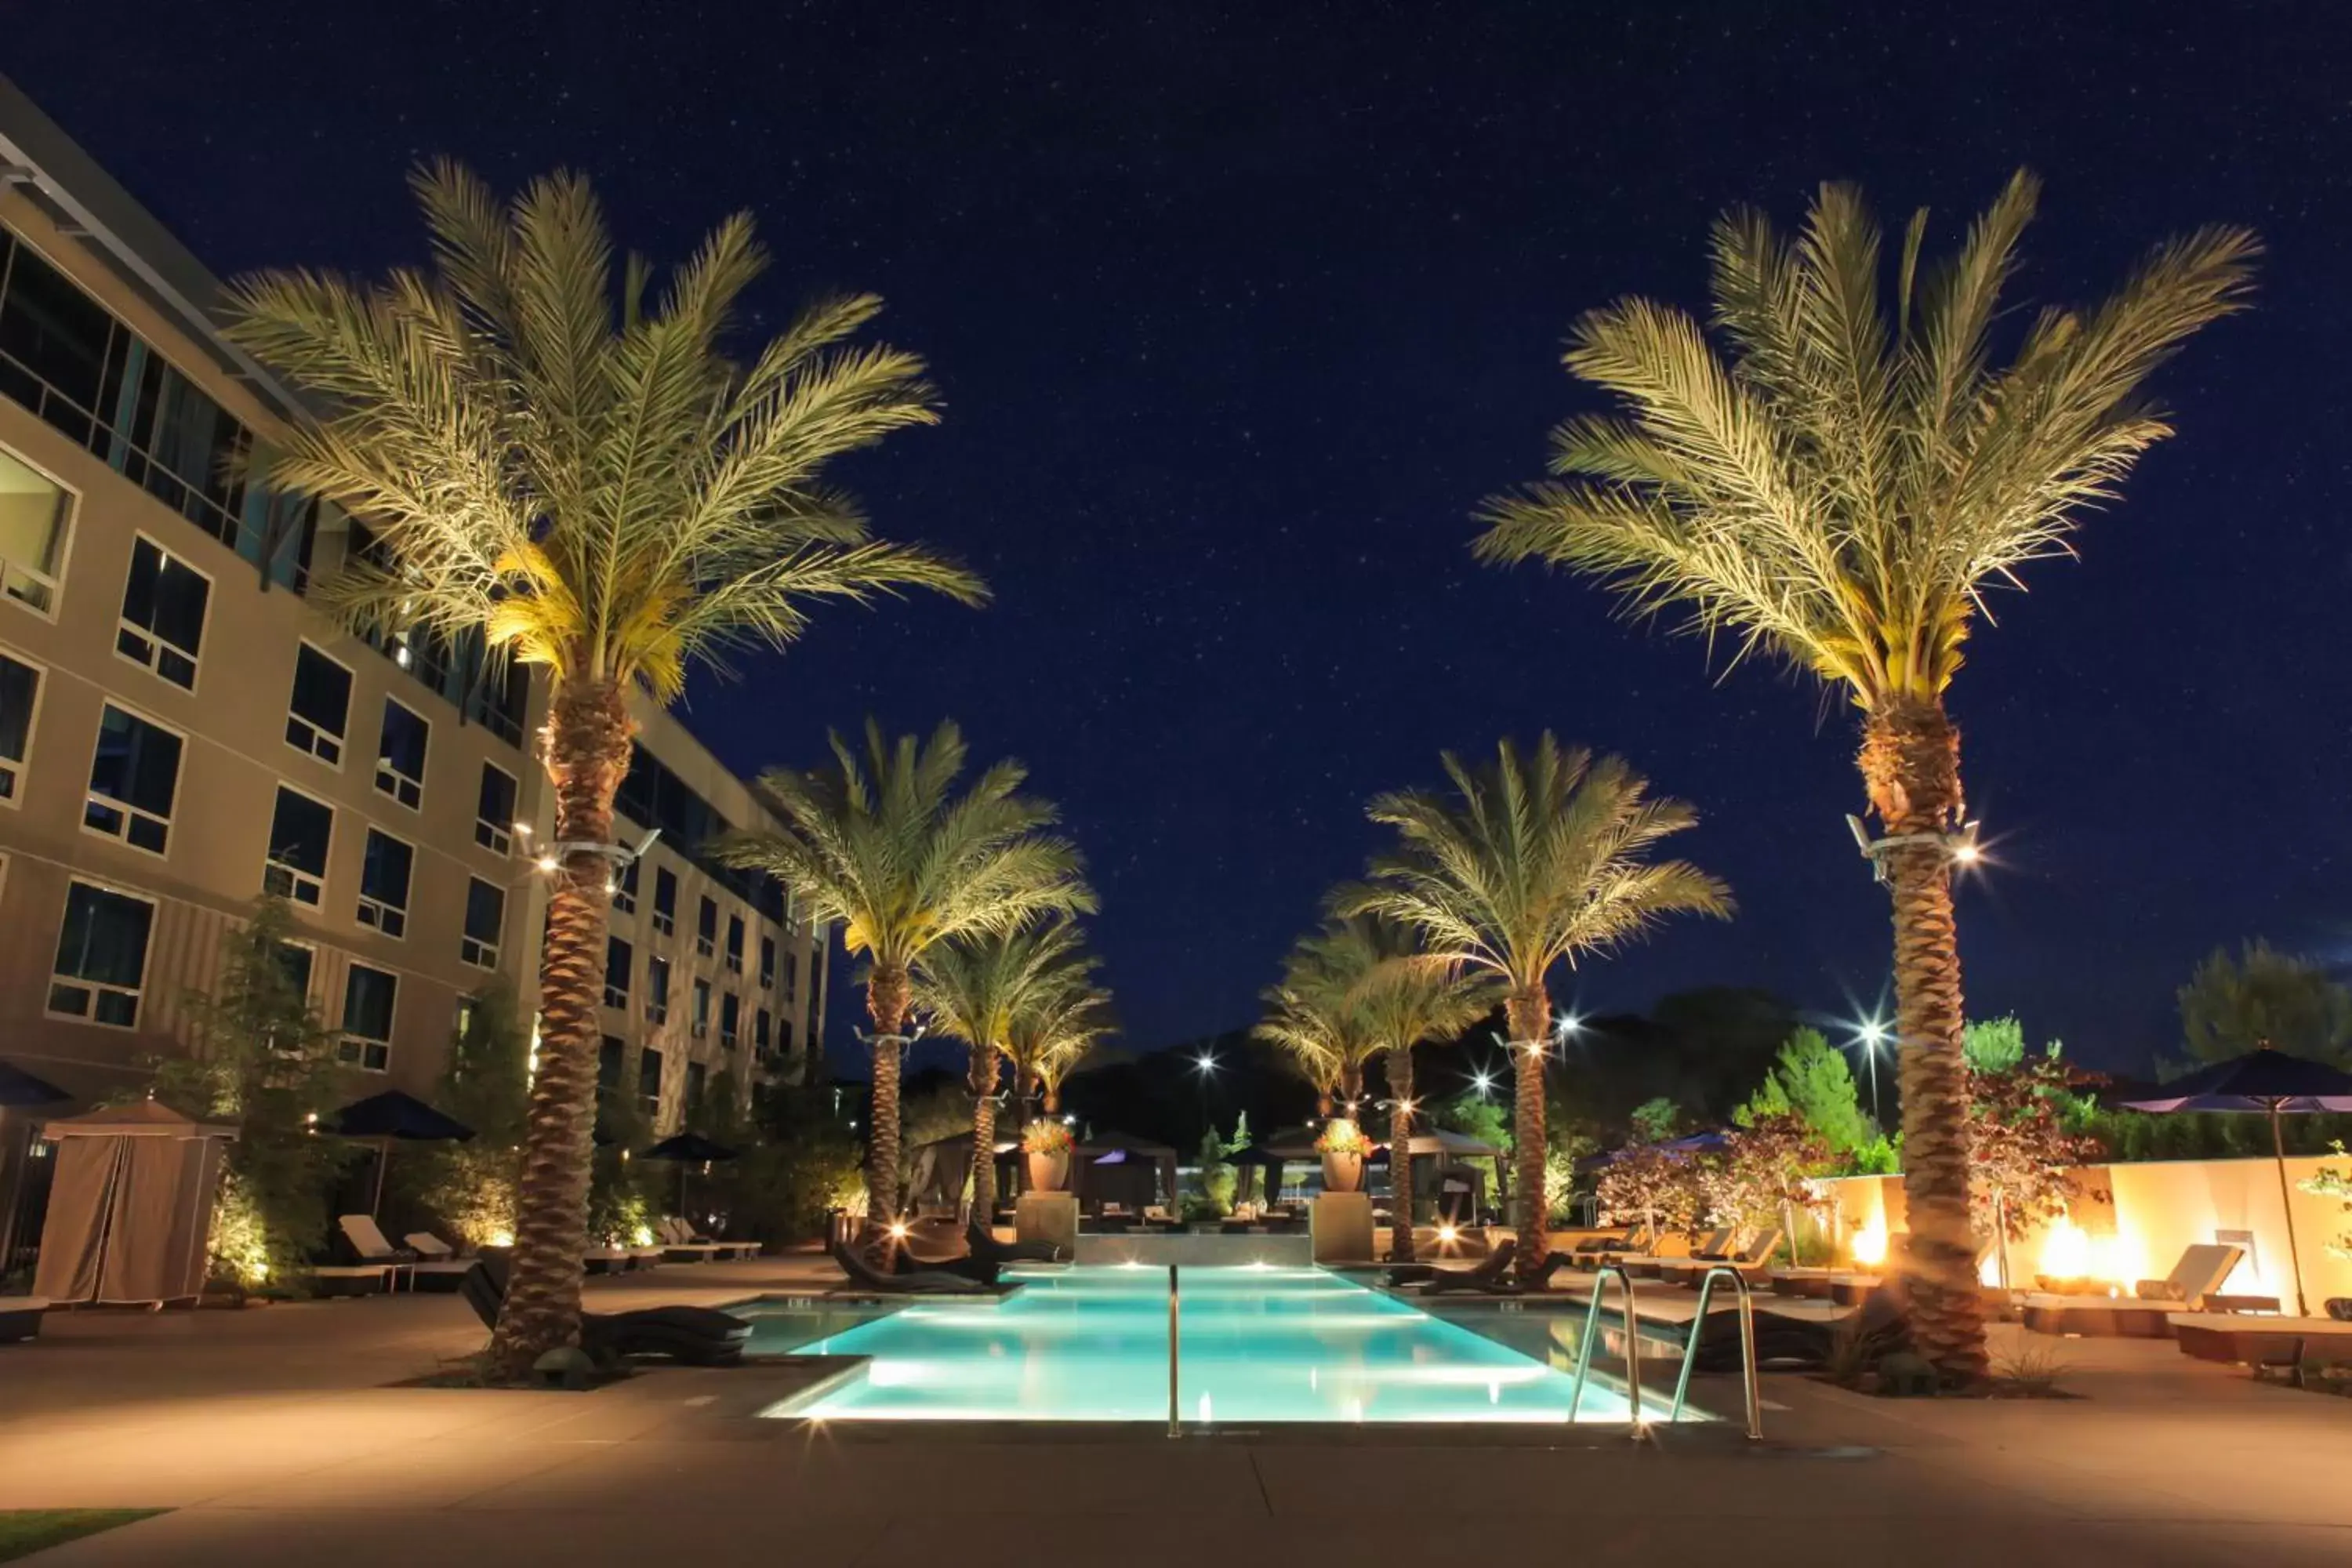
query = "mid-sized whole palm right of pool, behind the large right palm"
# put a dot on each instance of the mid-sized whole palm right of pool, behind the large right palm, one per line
(1532, 862)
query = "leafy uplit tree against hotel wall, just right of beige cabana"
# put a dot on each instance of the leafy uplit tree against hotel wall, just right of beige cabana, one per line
(262, 1061)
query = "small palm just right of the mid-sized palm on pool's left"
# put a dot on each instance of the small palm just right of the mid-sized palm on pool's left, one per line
(977, 991)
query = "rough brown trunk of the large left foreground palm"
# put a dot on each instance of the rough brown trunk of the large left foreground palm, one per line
(587, 753)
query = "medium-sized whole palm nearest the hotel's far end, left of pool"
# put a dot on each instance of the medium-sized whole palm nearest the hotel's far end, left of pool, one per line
(886, 847)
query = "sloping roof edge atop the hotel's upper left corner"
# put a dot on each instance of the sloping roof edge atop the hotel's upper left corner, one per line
(39, 156)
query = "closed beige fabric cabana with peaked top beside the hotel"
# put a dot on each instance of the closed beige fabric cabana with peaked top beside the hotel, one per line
(131, 1207)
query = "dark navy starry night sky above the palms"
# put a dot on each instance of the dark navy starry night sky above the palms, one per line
(1241, 309)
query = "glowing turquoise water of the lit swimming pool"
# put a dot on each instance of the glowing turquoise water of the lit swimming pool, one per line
(1257, 1346)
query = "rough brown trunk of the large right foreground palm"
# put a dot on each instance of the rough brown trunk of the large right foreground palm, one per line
(1911, 768)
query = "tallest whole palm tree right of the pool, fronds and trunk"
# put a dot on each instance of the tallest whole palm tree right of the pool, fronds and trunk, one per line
(1840, 490)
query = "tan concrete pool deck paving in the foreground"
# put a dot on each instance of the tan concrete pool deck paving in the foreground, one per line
(276, 1438)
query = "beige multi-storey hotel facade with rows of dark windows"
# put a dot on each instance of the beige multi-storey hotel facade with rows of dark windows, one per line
(180, 730)
